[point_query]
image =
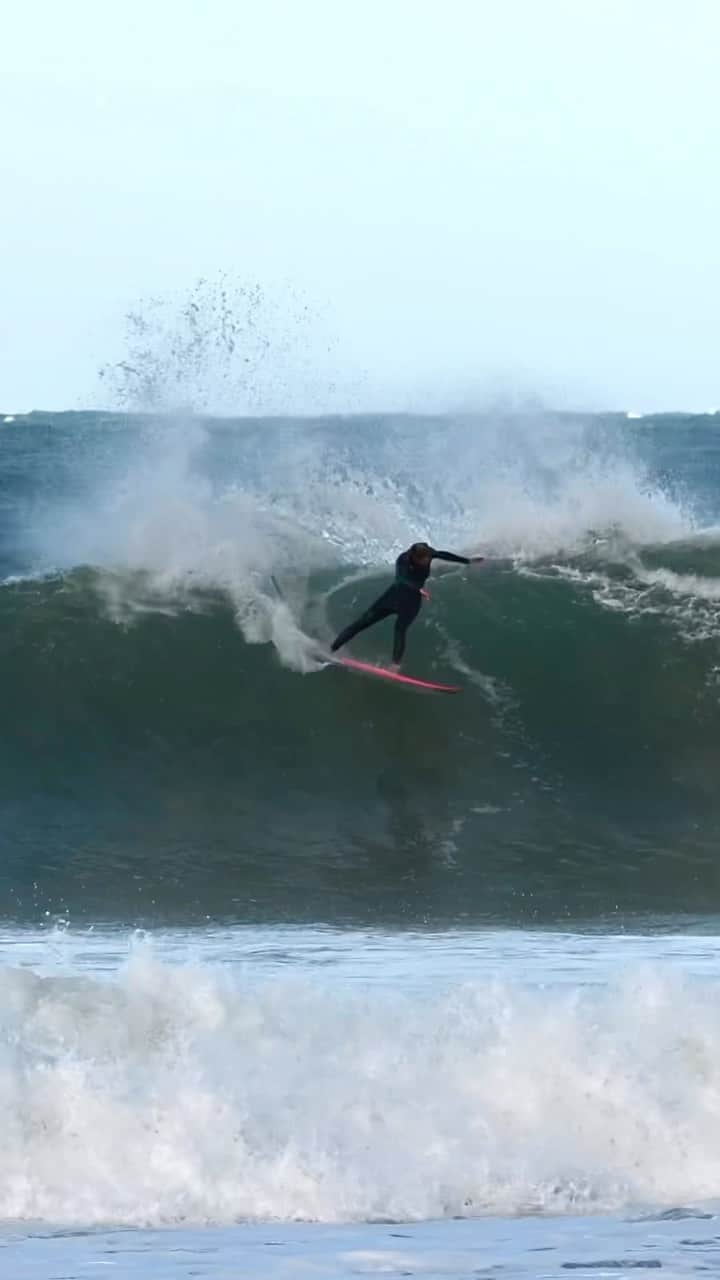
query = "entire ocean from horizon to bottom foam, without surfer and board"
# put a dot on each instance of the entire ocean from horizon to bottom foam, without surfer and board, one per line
(308, 976)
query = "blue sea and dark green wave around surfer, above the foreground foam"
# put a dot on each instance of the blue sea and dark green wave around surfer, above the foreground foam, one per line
(171, 748)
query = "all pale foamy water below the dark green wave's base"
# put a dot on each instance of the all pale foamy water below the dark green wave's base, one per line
(192, 1084)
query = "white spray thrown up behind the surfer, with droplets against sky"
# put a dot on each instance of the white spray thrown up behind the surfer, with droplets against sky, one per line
(295, 497)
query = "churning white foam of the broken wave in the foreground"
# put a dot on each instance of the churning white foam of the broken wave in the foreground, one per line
(184, 1095)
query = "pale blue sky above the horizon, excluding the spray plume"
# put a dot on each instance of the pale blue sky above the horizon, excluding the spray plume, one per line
(518, 195)
